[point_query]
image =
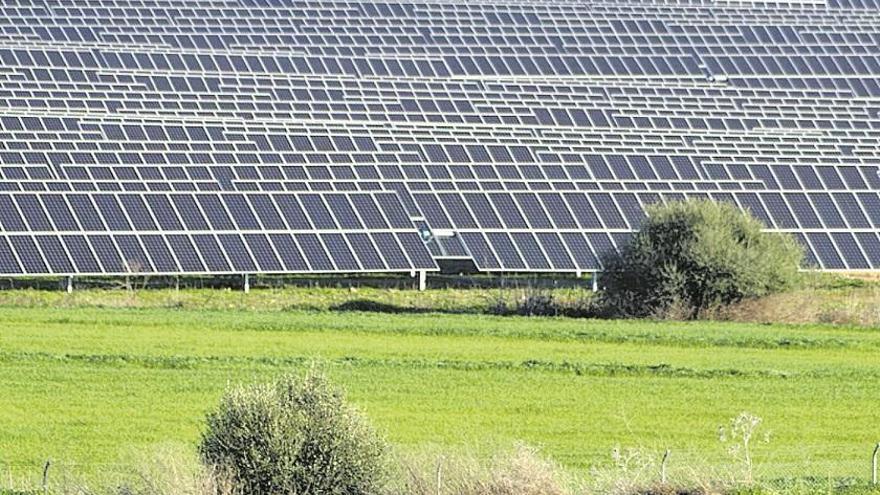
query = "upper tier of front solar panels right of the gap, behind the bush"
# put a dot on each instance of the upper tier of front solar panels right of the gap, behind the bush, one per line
(600, 211)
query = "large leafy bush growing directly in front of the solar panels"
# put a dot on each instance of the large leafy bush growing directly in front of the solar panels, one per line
(693, 255)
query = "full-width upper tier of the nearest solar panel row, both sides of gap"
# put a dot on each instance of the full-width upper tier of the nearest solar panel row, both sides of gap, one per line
(384, 211)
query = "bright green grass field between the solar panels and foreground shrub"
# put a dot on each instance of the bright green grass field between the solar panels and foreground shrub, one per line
(88, 385)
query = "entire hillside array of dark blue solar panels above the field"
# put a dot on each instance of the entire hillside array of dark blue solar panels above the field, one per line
(282, 136)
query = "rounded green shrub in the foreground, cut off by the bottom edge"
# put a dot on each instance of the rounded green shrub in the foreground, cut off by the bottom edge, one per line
(294, 436)
